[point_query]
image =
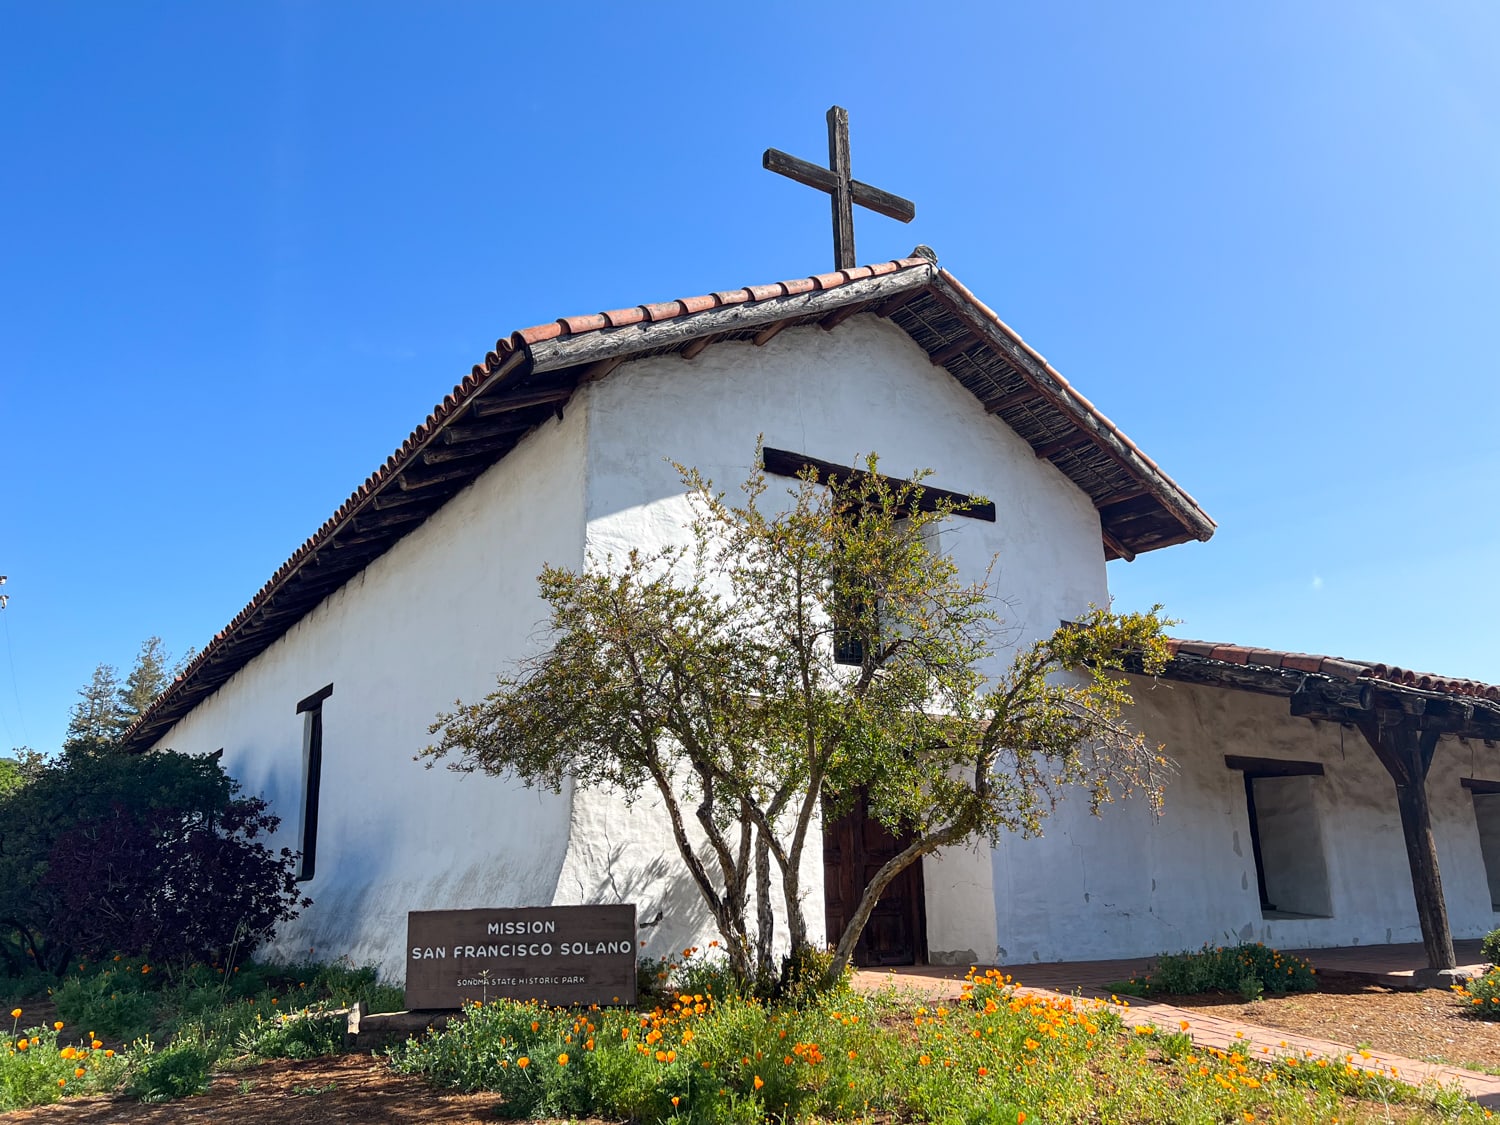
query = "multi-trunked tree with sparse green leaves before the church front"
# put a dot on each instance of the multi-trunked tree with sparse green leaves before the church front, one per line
(799, 655)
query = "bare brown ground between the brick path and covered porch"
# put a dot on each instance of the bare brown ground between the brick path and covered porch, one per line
(1421, 1025)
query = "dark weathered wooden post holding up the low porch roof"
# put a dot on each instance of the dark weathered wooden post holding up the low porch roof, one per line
(1408, 755)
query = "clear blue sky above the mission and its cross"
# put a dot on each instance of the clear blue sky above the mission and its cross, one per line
(248, 247)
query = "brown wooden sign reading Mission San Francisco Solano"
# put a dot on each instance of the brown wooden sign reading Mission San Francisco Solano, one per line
(556, 955)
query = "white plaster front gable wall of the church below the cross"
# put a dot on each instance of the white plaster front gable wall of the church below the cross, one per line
(835, 395)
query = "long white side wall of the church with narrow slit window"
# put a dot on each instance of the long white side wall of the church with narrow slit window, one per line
(433, 620)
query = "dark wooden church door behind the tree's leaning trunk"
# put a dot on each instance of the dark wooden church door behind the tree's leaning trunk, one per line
(856, 847)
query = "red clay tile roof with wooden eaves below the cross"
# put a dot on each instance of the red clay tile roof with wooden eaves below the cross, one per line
(530, 374)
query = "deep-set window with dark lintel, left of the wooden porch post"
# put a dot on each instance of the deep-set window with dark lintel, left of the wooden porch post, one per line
(1286, 838)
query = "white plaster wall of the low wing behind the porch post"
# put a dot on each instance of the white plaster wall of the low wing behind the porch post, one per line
(1127, 884)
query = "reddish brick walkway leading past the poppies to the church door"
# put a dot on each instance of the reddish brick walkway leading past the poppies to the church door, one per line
(1090, 979)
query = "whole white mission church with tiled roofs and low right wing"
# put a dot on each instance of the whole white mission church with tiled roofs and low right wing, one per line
(1283, 823)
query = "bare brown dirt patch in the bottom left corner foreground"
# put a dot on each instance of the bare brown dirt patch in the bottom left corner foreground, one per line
(347, 1088)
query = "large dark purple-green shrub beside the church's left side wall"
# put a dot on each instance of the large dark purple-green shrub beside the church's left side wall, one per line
(142, 854)
